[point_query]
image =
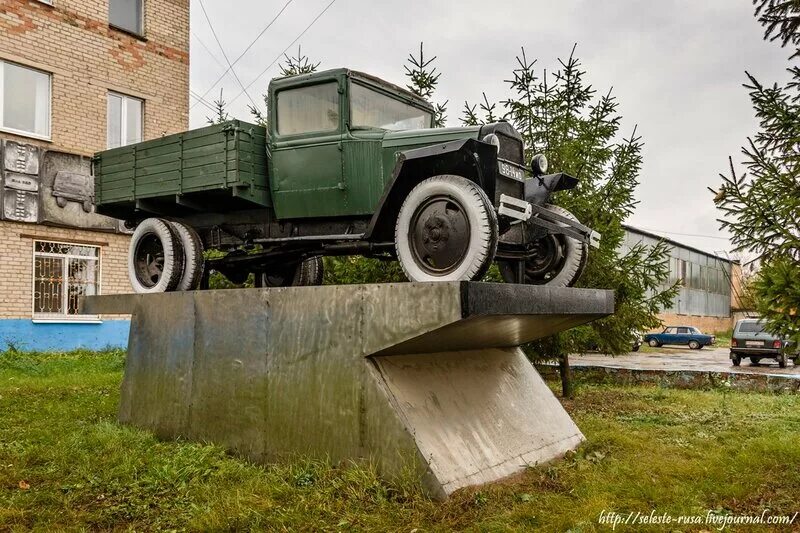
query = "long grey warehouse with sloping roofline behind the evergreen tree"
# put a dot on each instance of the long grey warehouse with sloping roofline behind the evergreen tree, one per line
(709, 290)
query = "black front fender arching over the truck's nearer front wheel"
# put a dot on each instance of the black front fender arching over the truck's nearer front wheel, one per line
(469, 158)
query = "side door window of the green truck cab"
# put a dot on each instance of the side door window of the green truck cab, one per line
(308, 109)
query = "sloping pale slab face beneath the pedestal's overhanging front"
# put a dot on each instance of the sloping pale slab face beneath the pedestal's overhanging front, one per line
(478, 416)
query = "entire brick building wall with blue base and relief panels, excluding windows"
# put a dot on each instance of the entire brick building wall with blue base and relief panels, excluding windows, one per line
(86, 59)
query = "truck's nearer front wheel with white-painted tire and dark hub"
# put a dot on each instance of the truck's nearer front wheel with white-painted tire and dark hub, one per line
(446, 231)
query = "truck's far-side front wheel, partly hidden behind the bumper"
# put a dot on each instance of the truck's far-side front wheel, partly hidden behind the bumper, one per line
(557, 260)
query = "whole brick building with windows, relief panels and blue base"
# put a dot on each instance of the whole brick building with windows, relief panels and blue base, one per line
(76, 77)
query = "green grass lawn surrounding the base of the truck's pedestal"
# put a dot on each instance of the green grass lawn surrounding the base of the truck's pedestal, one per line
(66, 464)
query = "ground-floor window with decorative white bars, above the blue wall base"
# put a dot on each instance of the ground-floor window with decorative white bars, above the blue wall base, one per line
(62, 273)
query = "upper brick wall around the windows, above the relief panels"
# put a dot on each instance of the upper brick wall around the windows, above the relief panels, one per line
(86, 58)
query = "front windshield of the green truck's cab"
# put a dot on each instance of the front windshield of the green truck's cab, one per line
(372, 109)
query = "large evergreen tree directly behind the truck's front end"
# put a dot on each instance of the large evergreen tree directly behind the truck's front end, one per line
(563, 117)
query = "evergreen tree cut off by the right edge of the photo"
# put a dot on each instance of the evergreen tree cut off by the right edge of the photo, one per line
(760, 206)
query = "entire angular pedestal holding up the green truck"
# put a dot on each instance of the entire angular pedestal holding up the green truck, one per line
(427, 376)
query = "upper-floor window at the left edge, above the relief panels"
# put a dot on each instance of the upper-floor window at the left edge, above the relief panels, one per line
(24, 100)
